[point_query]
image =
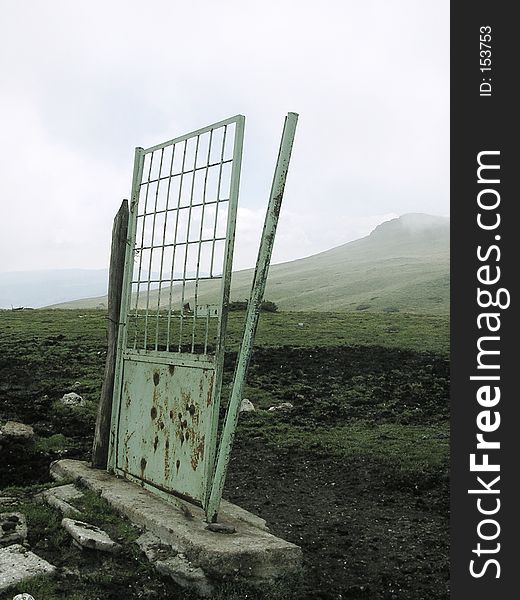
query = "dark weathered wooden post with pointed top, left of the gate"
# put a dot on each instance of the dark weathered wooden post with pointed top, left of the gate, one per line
(115, 285)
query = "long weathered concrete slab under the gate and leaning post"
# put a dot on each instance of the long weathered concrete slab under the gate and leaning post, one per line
(251, 553)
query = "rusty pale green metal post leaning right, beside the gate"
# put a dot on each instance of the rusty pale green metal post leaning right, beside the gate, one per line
(252, 315)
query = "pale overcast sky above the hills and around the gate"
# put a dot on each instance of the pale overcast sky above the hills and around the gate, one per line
(83, 83)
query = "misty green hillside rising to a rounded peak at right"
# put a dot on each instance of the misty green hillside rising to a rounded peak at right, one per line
(403, 265)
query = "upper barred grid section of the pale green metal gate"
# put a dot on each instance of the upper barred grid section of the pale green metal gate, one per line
(182, 221)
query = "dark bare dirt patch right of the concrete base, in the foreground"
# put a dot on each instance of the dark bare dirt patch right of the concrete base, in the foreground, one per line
(360, 538)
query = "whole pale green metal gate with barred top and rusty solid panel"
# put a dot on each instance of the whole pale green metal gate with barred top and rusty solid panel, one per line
(171, 344)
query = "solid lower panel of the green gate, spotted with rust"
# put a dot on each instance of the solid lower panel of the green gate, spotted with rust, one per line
(164, 425)
